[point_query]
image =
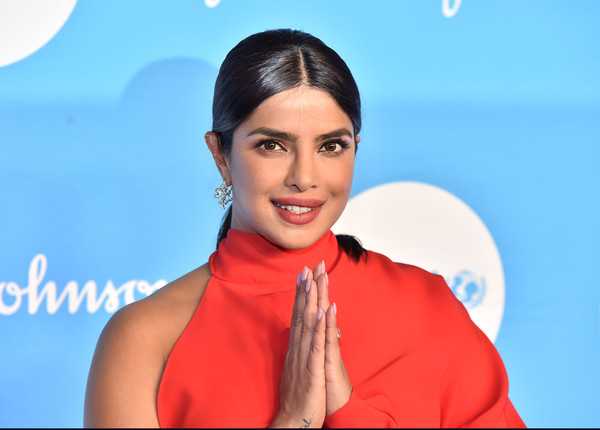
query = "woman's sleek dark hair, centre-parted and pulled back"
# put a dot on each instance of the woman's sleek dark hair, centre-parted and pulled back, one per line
(266, 63)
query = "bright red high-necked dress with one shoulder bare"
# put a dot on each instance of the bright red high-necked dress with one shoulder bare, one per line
(414, 356)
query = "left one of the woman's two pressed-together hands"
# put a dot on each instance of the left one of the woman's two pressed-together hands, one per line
(302, 395)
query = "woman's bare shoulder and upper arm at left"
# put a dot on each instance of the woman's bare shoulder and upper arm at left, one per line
(131, 352)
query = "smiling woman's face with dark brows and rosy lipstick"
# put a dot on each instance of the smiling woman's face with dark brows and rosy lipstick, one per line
(297, 144)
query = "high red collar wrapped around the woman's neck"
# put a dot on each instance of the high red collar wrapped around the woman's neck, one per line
(256, 263)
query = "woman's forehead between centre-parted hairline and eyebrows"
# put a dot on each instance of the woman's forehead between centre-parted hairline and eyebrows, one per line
(302, 110)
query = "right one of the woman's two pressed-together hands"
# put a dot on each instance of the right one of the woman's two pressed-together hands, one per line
(338, 386)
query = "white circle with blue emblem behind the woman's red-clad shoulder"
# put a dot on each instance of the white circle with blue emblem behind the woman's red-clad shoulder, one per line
(426, 226)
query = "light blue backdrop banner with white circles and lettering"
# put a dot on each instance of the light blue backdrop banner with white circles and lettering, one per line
(478, 160)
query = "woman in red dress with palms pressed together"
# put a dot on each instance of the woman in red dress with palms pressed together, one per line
(251, 337)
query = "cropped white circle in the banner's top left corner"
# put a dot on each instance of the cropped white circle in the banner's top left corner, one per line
(27, 25)
